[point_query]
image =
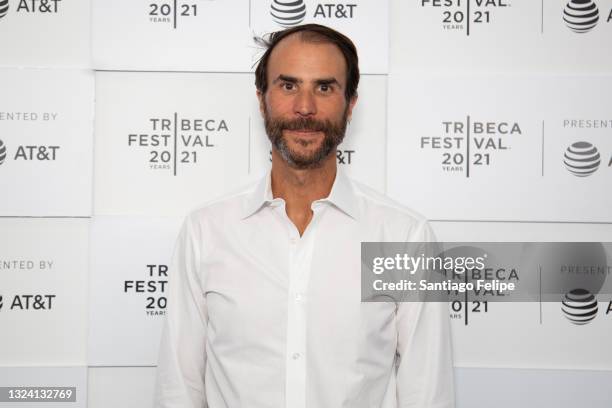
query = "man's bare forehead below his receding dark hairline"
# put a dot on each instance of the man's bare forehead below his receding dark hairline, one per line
(306, 59)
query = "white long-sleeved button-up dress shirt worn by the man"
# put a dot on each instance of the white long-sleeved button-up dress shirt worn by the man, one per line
(261, 317)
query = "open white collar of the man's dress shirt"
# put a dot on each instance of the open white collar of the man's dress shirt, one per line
(342, 195)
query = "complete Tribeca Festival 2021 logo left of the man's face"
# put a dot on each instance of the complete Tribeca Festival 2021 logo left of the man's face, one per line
(174, 142)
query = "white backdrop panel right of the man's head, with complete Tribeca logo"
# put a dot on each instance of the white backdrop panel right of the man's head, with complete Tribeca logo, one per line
(536, 148)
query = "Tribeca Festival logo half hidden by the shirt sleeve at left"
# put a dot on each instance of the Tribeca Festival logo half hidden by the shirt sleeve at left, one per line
(154, 287)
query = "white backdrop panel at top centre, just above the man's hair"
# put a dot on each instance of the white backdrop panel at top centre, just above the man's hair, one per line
(216, 35)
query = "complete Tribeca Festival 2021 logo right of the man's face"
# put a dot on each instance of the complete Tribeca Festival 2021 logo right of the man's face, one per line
(467, 145)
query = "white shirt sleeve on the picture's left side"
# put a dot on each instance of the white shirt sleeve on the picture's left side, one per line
(182, 352)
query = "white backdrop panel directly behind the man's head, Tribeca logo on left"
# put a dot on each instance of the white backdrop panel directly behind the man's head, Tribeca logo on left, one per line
(169, 134)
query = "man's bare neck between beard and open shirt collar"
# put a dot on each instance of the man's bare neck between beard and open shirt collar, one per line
(300, 187)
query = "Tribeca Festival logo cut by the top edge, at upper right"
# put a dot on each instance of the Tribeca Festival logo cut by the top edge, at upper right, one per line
(463, 15)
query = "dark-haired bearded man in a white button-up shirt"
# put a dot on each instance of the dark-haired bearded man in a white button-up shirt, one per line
(264, 304)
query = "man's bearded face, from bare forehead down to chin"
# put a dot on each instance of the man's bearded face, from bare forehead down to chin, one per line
(304, 108)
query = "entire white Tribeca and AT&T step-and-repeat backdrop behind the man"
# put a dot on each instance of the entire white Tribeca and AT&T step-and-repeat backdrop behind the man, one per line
(118, 118)
